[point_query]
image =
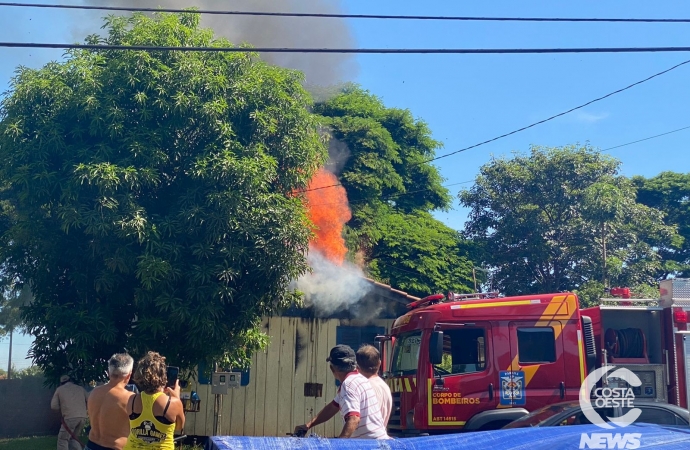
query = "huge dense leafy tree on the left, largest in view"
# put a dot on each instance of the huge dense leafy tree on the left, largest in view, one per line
(150, 197)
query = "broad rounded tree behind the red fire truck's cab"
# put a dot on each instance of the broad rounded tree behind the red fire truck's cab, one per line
(561, 219)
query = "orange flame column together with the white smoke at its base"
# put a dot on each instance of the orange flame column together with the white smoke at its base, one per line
(335, 284)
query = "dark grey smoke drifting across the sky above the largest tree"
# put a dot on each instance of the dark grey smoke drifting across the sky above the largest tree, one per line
(320, 69)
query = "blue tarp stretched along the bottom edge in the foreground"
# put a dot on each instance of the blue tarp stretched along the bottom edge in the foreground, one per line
(547, 438)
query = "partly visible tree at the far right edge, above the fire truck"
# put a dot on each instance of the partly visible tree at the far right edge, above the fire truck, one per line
(670, 193)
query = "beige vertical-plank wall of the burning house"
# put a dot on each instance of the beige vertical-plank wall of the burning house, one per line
(273, 402)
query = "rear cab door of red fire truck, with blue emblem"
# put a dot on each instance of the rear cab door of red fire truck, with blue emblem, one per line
(536, 376)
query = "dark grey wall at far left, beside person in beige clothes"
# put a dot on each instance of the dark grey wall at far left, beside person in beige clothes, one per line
(25, 409)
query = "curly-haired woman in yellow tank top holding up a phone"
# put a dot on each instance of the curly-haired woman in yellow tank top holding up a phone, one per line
(154, 416)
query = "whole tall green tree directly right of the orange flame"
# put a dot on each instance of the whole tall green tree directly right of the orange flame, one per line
(381, 156)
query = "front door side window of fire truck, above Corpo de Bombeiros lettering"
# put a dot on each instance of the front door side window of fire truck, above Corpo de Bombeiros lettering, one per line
(463, 351)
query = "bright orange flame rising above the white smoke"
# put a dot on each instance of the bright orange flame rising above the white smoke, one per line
(329, 211)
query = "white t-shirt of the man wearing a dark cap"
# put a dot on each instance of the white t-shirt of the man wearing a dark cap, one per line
(356, 396)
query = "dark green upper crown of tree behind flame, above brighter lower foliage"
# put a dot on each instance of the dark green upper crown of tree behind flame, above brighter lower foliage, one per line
(388, 147)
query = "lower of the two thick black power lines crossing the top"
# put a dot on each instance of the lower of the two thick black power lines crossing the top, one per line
(409, 51)
